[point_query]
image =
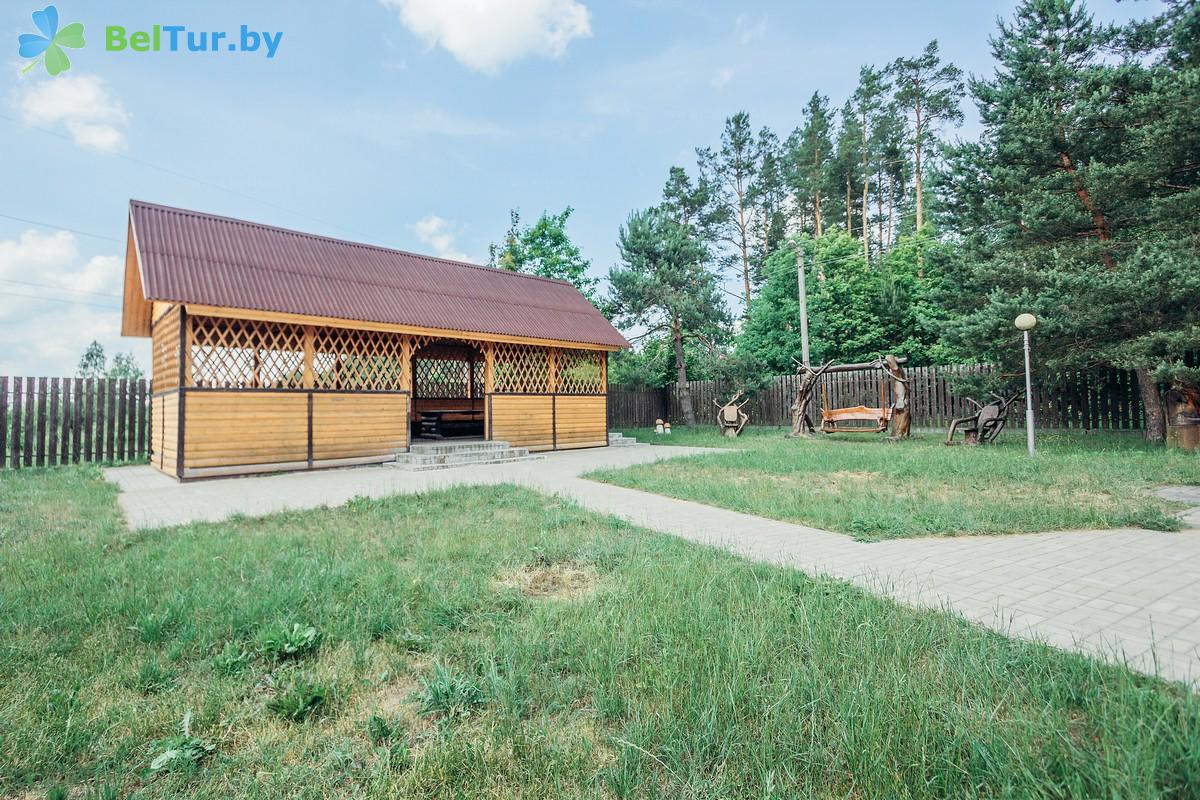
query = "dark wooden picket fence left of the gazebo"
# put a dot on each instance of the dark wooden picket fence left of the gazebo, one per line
(51, 422)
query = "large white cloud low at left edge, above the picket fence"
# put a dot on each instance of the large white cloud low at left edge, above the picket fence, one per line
(40, 336)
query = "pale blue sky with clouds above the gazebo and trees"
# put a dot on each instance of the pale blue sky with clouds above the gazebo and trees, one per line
(411, 124)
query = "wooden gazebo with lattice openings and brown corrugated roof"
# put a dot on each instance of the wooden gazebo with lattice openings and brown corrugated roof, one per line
(280, 351)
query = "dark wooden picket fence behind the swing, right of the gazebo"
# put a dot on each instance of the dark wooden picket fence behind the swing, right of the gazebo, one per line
(1103, 401)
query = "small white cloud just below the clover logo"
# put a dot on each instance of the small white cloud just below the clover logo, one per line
(82, 105)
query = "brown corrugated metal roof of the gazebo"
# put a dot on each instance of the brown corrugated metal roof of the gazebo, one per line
(201, 258)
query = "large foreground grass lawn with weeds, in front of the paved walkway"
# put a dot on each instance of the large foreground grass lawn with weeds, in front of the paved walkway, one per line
(495, 643)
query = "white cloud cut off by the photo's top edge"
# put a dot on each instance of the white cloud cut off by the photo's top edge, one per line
(487, 35)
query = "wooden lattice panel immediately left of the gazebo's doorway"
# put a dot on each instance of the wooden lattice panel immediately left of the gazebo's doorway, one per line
(358, 360)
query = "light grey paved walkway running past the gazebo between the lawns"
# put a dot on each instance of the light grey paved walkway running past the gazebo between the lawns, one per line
(1130, 596)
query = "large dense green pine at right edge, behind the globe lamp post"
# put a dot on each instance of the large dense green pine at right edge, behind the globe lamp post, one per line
(1067, 209)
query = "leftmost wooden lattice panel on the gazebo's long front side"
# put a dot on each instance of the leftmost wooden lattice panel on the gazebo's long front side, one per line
(245, 354)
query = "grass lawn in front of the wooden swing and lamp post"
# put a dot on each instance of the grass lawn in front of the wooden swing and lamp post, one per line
(874, 489)
